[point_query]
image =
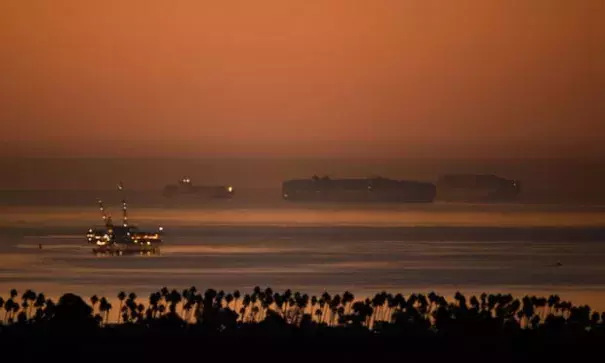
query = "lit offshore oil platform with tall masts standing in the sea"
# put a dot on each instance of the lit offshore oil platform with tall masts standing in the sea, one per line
(124, 238)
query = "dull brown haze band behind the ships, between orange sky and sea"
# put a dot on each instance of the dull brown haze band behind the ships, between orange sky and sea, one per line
(542, 180)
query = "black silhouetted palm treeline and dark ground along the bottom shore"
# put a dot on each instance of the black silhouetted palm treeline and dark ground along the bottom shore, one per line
(212, 324)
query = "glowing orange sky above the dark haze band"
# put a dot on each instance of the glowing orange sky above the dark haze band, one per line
(398, 78)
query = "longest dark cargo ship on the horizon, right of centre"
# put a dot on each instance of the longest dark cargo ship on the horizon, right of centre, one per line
(361, 190)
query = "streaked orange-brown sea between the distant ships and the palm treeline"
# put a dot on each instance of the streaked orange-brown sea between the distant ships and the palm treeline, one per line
(507, 248)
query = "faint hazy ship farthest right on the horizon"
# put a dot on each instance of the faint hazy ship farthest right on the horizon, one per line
(477, 188)
